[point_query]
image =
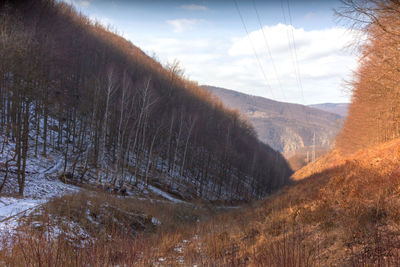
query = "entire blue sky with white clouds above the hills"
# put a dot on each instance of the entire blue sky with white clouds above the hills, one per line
(286, 50)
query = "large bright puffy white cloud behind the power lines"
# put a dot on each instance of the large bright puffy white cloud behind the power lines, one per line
(321, 56)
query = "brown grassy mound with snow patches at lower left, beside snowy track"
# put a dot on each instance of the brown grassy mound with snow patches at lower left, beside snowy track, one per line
(120, 232)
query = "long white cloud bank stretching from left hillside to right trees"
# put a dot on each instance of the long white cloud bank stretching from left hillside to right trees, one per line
(322, 59)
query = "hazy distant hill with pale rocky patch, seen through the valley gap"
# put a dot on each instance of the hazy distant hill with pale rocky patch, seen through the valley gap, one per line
(285, 127)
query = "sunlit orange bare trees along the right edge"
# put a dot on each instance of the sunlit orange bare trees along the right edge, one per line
(374, 115)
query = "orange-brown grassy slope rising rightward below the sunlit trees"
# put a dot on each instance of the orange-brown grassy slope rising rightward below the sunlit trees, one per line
(341, 211)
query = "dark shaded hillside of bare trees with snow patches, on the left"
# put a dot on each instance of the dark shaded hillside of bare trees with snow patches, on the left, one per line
(69, 84)
